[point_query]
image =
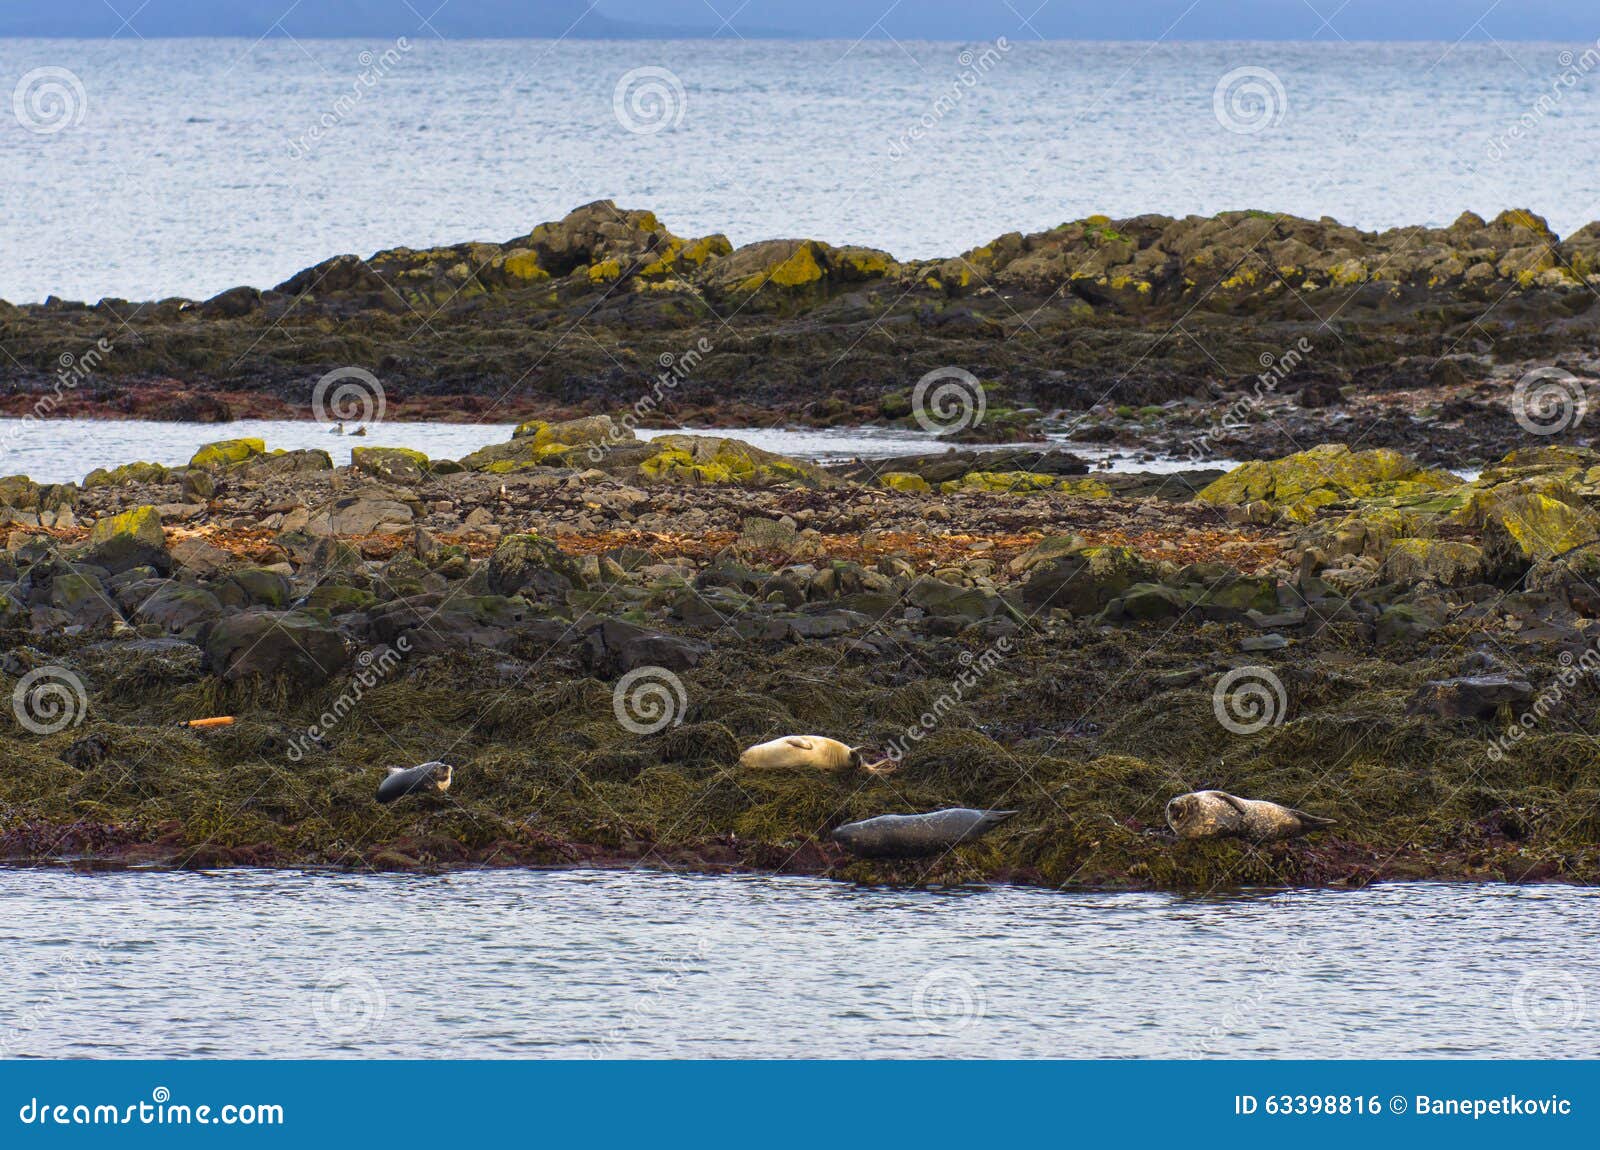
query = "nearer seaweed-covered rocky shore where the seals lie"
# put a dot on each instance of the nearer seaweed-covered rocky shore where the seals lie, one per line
(591, 626)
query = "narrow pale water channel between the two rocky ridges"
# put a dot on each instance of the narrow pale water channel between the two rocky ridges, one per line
(66, 450)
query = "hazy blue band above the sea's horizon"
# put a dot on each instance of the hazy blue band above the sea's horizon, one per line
(847, 20)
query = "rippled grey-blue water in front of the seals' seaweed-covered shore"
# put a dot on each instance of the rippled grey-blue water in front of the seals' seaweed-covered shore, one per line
(650, 965)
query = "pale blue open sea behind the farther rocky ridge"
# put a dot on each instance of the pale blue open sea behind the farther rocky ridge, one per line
(190, 167)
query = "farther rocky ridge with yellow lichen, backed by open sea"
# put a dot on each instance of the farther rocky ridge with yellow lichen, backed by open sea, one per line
(1241, 337)
